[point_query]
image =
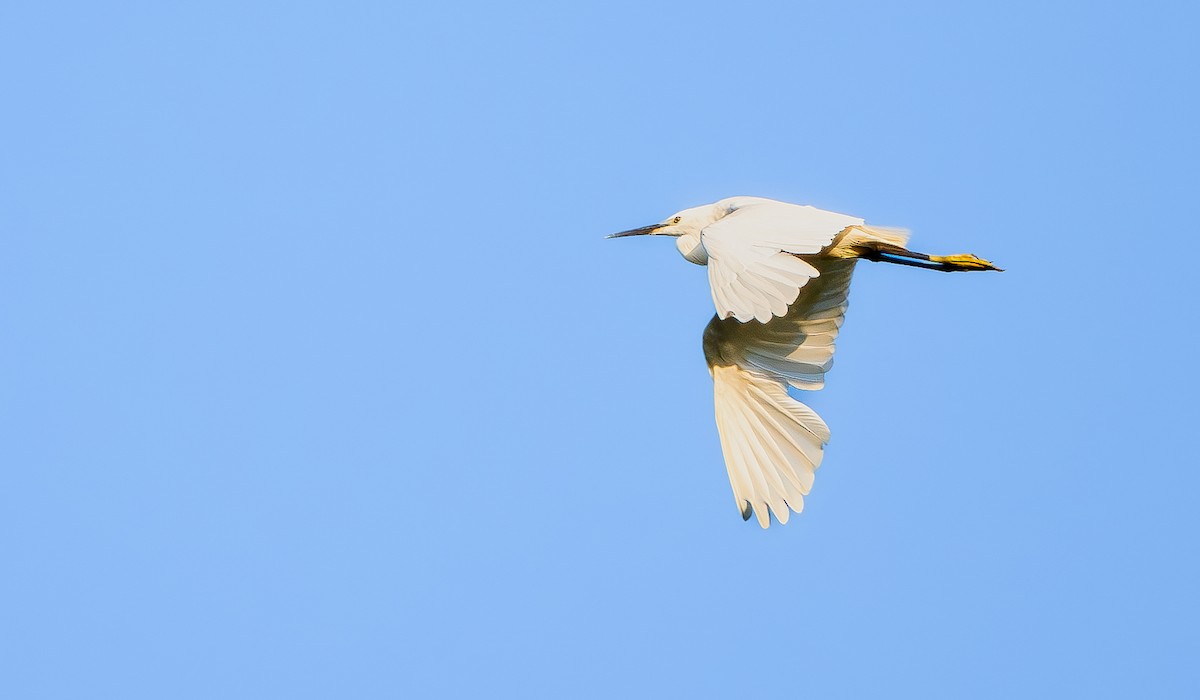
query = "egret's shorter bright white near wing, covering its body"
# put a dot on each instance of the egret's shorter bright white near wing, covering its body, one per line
(753, 268)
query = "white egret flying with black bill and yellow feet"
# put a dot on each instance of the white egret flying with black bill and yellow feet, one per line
(781, 277)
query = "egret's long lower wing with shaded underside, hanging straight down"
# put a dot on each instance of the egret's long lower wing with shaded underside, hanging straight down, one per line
(773, 444)
